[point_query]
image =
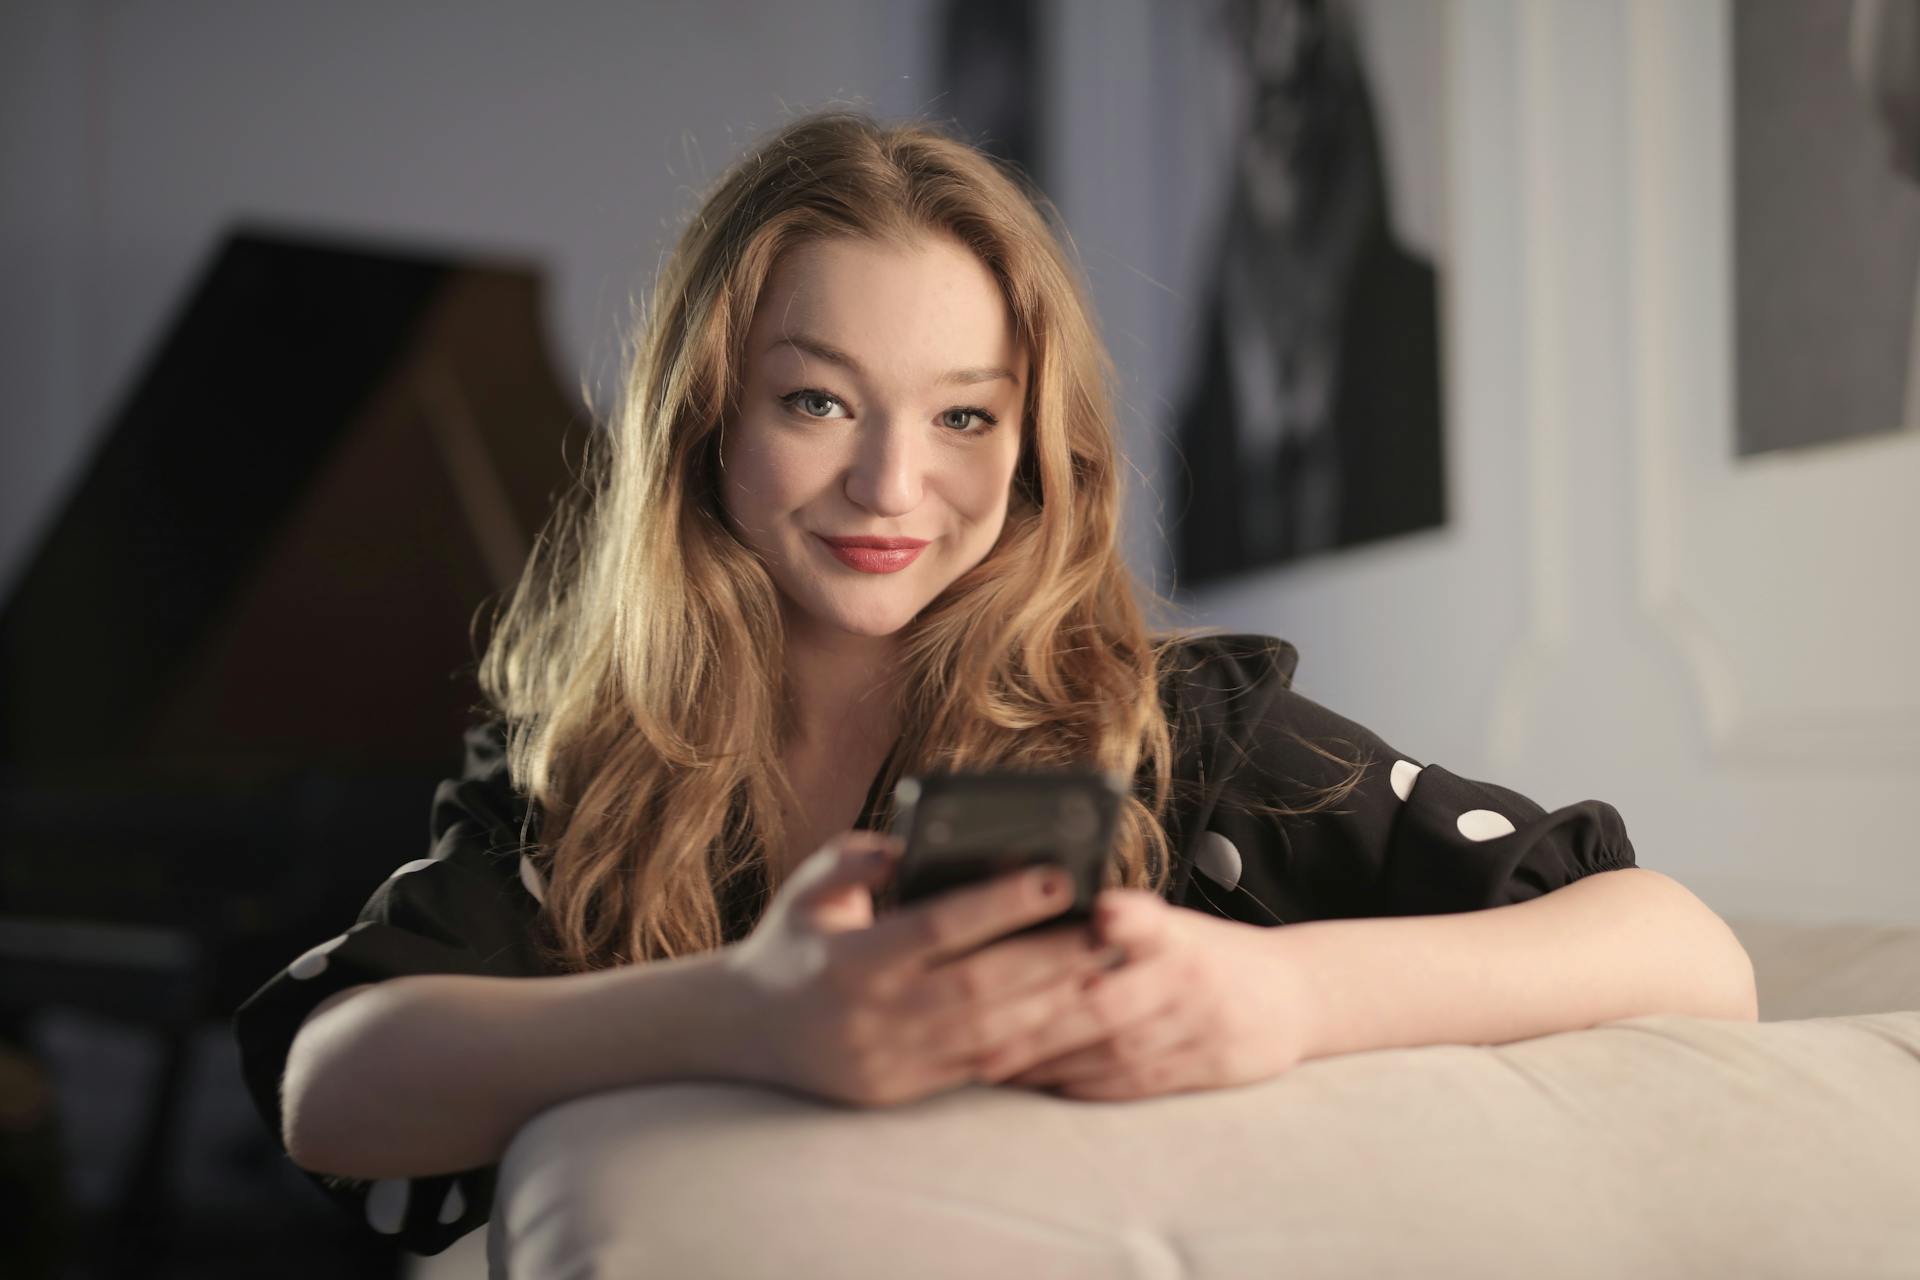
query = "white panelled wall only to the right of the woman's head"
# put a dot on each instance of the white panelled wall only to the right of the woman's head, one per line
(1618, 607)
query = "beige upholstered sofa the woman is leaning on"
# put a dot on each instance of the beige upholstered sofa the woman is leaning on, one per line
(1656, 1147)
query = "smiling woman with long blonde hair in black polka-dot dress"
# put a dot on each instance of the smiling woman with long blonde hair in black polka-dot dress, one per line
(706, 688)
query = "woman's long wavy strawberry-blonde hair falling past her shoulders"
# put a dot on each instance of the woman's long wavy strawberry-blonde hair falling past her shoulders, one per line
(640, 659)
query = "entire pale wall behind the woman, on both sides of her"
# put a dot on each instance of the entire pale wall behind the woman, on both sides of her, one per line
(1618, 609)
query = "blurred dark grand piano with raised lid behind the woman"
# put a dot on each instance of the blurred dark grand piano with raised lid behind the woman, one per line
(245, 650)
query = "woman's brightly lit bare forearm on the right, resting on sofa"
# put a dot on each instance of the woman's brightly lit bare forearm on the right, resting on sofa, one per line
(1608, 947)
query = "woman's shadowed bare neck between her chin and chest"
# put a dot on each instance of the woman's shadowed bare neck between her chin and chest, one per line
(842, 688)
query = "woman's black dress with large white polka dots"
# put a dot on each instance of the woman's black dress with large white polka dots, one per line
(1410, 840)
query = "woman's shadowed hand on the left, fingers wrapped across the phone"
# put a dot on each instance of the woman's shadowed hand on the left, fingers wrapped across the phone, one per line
(907, 1007)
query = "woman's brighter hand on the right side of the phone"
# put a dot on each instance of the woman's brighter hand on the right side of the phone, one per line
(1201, 1003)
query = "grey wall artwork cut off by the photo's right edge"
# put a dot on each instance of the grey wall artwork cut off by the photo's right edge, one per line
(1827, 222)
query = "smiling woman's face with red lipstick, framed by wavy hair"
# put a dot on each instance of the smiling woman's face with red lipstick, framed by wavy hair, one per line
(880, 400)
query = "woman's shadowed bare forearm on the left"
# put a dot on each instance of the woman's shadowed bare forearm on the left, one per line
(435, 1074)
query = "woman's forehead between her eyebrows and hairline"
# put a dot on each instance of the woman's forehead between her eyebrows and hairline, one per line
(928, 304)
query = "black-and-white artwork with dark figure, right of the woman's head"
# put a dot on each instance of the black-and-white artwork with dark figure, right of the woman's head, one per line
(1310, 412)
